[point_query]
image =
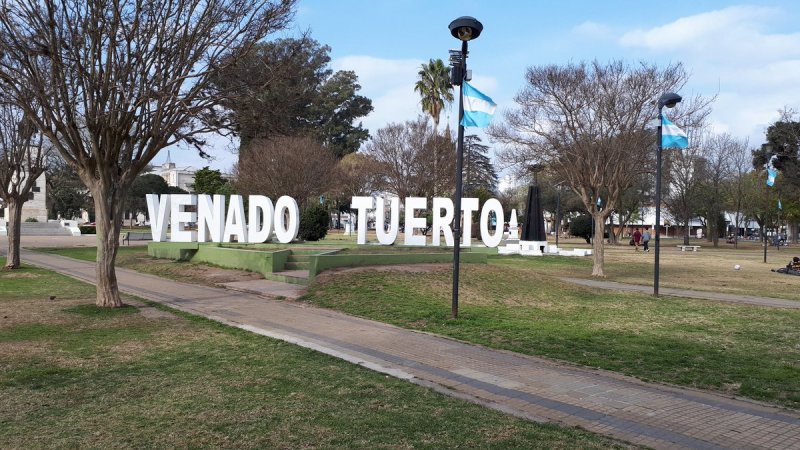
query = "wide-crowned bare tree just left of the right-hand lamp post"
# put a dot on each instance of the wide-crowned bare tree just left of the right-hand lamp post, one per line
(592, 124)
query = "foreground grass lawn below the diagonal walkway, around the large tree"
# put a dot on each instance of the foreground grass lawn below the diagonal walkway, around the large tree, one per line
(75, 376)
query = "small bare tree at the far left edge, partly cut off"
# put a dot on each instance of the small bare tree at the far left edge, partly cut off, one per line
(22, 161)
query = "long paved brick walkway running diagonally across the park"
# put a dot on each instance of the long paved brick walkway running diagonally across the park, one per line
(607, 403)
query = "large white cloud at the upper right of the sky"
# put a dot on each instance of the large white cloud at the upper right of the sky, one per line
(732, 52)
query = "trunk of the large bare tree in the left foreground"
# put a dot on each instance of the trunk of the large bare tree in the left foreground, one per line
(108, 216)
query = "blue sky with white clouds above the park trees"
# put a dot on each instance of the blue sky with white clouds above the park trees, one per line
(748, 54)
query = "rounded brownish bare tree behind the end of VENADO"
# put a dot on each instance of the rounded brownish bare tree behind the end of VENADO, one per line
(299, 167)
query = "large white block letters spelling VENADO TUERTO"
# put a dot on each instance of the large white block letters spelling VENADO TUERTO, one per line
(215, 224)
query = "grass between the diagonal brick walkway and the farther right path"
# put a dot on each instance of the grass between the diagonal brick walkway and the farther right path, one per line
(742, 350)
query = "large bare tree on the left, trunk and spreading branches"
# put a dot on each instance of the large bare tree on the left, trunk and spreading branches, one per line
(113, 82)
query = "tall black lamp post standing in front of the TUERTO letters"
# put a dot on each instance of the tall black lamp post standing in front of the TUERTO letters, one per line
(464, 29)
